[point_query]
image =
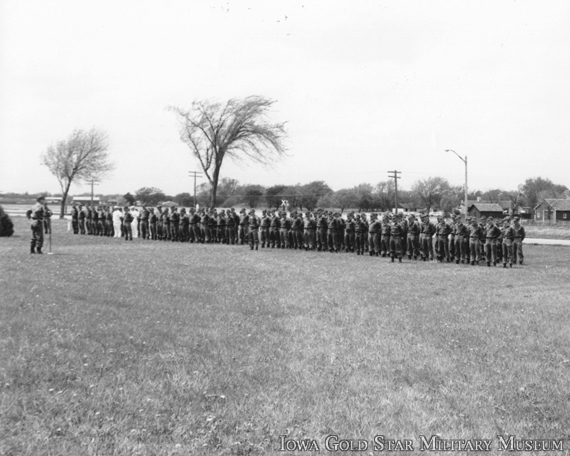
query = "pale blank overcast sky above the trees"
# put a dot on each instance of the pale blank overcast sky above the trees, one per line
(365, 86)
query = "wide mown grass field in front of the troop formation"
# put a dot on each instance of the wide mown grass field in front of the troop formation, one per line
(110, 347)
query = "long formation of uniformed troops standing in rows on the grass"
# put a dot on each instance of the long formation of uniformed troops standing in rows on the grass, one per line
(384, 235)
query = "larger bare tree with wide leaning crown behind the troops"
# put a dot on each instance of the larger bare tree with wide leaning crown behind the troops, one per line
(237, 129)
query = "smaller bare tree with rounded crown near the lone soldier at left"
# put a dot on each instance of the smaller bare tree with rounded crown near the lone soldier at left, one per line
(83, 156)
